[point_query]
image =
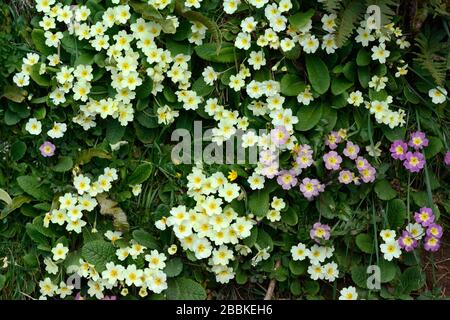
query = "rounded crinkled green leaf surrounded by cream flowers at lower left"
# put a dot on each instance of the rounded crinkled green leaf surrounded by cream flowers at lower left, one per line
(98, 253)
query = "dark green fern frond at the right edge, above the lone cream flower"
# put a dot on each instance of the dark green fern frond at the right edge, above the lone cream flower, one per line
(429, 59)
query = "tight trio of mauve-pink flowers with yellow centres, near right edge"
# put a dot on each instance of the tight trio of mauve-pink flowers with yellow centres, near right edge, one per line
(414, 160)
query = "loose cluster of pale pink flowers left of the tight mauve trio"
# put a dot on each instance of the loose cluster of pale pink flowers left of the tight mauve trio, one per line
(333, 161)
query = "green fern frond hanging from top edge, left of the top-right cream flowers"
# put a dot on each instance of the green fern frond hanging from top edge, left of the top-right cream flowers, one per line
(348, 16)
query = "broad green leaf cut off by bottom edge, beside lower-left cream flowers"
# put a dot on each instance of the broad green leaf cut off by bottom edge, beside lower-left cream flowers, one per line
(185, 289)
